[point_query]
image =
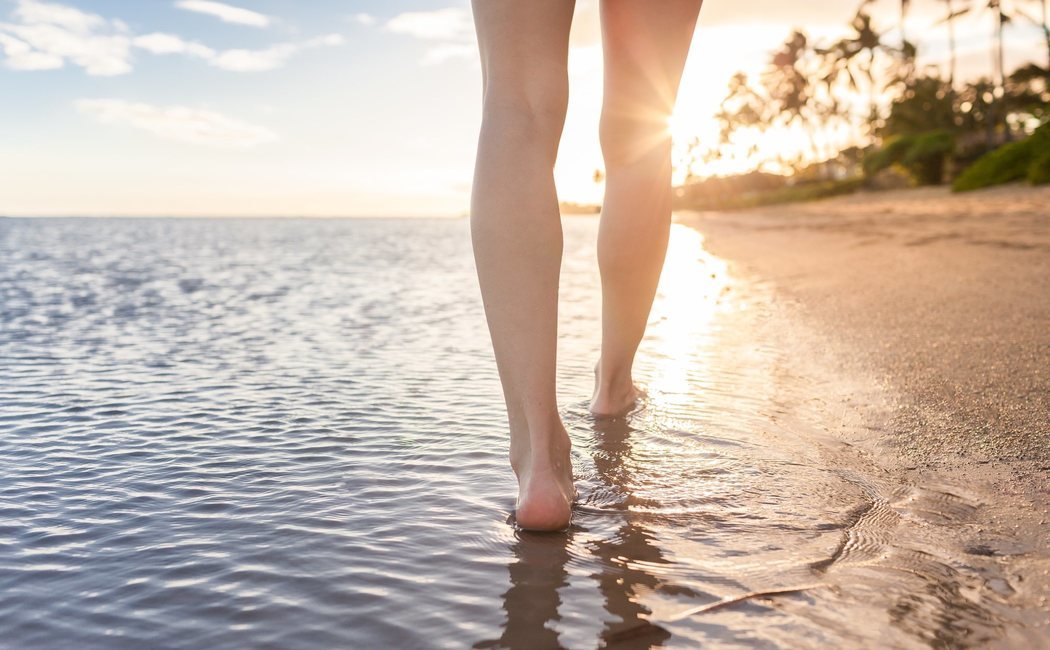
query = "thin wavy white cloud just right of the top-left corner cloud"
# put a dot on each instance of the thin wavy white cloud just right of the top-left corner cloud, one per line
(236, 60)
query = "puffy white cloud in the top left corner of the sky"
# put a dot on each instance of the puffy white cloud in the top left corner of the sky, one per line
(47, 36)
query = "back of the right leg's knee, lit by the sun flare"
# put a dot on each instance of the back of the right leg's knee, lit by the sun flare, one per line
(636, 136)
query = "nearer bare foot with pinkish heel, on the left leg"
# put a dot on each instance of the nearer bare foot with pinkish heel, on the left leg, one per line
(545, 491)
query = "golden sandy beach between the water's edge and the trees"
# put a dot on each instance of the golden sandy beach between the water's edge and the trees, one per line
(928, 314)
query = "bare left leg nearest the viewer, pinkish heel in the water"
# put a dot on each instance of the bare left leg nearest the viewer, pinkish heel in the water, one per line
(517, 234)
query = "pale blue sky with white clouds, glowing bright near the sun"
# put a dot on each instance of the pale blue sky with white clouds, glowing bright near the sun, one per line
(331, 108)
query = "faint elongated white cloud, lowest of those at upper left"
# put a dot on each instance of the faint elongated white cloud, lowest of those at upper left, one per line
(178, 123)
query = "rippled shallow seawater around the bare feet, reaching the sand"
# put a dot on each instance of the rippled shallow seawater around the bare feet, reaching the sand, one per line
(227, 434)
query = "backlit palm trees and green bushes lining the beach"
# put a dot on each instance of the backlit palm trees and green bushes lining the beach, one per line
(873, 120)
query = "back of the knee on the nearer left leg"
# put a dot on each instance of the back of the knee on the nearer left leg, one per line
(532, 112)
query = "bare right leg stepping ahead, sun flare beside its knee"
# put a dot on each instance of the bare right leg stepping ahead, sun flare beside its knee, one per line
(646, 45)
